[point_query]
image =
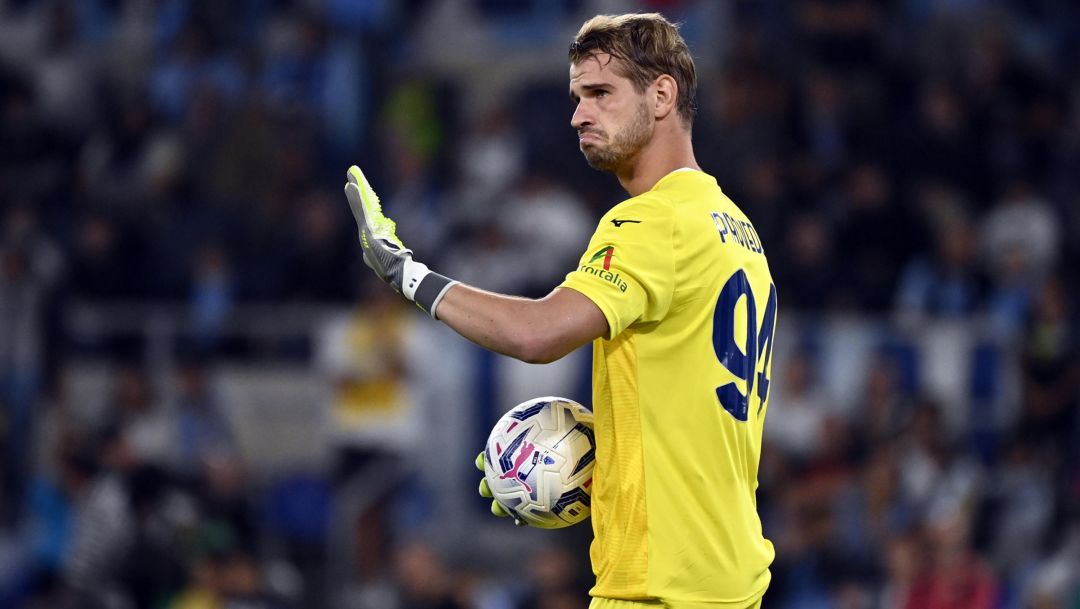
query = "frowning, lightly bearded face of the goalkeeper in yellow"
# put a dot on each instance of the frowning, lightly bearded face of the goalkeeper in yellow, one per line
(612, 118)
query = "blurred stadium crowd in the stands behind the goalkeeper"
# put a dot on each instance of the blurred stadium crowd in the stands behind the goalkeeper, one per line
(207, 401)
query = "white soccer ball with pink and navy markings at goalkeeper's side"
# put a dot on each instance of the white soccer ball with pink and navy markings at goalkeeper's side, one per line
(538, 463)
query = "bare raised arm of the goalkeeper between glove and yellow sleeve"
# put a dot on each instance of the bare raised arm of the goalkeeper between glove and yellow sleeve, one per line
(532, 331)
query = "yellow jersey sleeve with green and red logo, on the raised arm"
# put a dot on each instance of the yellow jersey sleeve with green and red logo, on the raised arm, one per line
(628, 272)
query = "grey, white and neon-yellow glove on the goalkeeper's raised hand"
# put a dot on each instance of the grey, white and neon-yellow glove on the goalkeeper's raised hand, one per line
(386, 254)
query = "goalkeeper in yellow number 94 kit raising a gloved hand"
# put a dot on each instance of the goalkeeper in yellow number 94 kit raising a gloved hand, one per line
(676, 294)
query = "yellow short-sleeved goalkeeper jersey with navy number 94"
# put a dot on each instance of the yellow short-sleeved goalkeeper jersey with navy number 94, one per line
(680, 395)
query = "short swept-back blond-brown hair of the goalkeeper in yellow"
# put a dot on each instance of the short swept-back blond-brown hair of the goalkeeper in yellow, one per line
(646, 46)
